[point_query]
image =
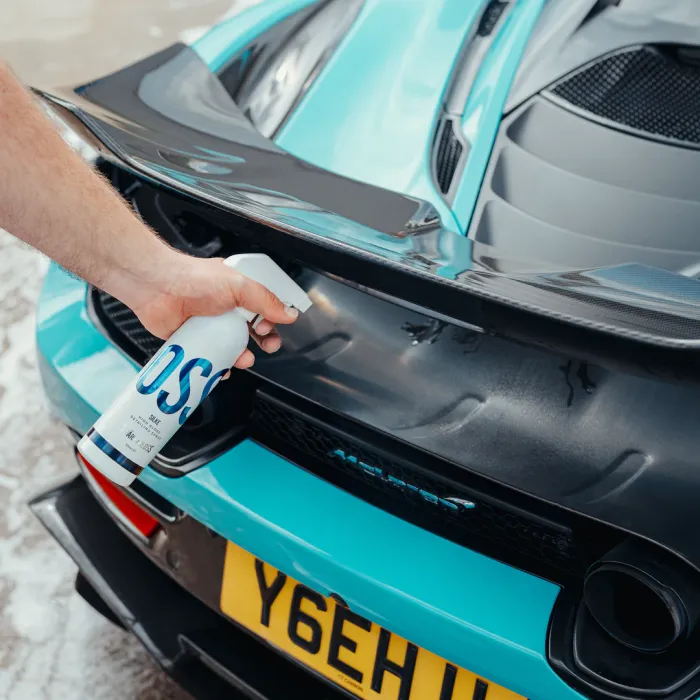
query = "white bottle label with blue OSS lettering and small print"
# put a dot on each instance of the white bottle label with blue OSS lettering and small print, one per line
(167, 391)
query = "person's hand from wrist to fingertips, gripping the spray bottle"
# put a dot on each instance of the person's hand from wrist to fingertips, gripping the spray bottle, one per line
(206, 287)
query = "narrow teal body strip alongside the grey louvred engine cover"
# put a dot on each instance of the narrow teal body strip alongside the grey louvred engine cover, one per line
(484, 109)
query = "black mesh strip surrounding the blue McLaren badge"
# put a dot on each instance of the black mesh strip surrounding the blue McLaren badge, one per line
(506, 525)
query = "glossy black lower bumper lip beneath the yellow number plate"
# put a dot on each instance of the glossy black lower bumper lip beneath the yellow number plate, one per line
(205, 654)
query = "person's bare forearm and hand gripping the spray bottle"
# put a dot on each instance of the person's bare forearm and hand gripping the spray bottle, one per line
(52, 200)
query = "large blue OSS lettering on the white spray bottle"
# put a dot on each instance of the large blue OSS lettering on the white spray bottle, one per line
(166, 403)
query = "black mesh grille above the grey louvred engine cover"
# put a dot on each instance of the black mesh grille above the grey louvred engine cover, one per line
(644, 89)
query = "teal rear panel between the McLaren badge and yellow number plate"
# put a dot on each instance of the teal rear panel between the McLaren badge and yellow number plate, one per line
(455, 602)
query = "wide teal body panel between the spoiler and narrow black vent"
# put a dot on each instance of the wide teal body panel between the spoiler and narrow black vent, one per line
(371, 113)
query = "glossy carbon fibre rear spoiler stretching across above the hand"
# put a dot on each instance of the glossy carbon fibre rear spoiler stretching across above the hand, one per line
(169, 119)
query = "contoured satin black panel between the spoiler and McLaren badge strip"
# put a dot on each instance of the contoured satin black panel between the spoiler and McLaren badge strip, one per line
(604, 442)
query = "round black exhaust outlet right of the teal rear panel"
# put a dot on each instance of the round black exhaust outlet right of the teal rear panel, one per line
(644, 597)
